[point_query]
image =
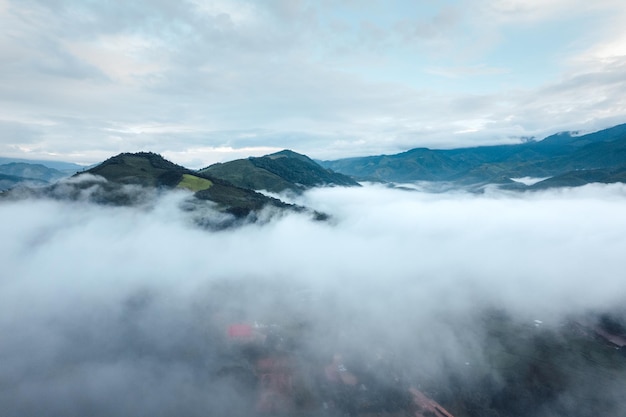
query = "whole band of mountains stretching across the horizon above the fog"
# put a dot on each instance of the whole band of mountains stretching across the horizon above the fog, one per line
(561, 160)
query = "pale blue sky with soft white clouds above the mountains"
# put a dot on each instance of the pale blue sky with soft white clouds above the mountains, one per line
(206, 81)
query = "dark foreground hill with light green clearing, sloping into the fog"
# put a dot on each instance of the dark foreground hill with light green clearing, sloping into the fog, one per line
(136, 178)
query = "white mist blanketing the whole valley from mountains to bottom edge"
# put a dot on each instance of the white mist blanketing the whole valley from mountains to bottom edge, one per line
(489, 304)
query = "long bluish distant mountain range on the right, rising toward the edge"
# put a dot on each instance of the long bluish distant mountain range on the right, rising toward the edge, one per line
(555, 155)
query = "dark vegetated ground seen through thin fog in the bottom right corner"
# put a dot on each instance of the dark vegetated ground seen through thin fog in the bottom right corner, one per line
(535, 370)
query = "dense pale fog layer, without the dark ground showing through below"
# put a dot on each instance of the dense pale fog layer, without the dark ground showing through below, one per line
(112, 310)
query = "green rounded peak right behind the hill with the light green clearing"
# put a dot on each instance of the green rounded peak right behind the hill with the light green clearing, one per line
(277, 172)
